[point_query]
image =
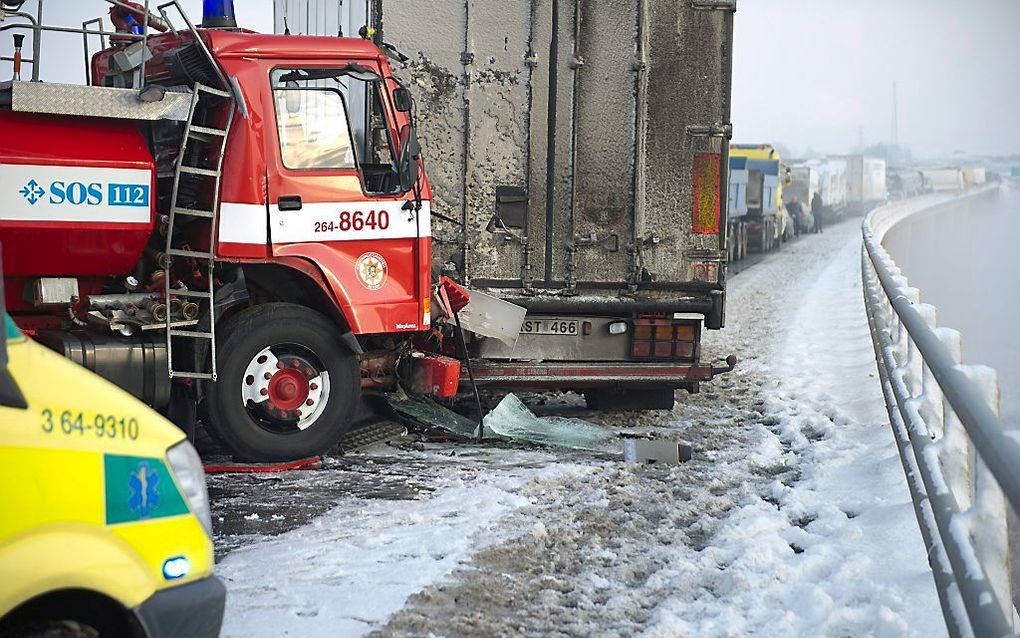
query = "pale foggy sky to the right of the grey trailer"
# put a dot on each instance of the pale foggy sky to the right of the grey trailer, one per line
(808, 73)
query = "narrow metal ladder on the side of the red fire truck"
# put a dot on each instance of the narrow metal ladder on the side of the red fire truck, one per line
(199, 144)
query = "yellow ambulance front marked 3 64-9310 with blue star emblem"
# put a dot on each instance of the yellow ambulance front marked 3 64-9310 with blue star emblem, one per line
(106, 526)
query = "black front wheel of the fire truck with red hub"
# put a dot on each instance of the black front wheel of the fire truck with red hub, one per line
(287, 387)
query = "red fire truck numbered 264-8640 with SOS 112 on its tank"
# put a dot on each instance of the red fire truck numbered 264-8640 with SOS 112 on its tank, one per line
(202, 225)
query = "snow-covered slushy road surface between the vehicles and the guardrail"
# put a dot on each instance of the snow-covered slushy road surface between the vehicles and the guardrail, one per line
(792, 520)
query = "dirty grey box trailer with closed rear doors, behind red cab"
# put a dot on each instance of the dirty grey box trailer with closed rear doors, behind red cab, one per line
(578, 153)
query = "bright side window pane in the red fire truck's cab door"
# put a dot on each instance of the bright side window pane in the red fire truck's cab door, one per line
(314, 128)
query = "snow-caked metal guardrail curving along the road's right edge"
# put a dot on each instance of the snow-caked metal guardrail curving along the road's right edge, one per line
(961, 467)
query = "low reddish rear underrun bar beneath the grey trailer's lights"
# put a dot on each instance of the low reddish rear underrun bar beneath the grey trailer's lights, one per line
(562, 376)
